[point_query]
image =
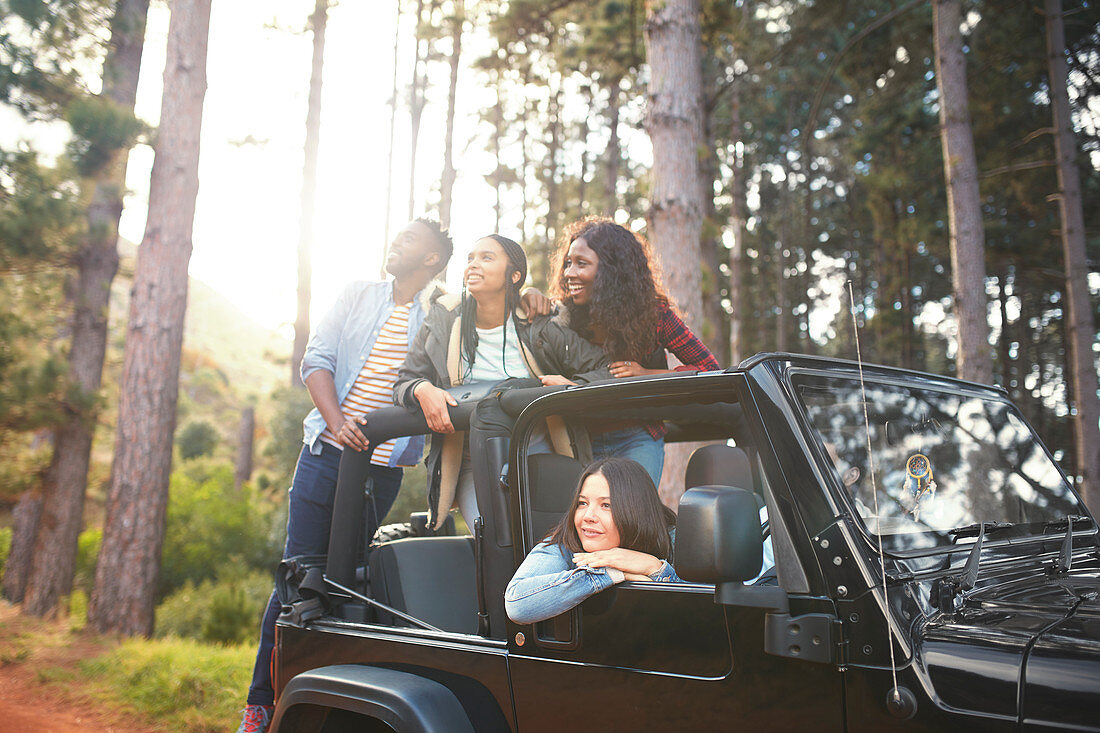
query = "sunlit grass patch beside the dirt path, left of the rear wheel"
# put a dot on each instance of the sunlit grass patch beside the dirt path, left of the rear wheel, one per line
(182, 684)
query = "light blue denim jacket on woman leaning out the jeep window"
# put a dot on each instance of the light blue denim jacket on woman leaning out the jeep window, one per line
(548, 584)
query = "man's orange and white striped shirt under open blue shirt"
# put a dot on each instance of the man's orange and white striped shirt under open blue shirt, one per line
(375, 387)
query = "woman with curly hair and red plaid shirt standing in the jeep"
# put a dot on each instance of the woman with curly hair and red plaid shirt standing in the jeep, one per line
(612, 296)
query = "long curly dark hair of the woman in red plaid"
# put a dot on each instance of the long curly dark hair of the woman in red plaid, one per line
(628, 294)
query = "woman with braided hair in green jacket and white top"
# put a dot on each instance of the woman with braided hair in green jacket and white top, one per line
(486, 336)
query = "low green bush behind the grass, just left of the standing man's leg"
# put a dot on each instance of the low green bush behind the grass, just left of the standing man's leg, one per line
(225, 611)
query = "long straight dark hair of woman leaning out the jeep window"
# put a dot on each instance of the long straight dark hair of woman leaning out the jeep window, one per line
(641, 518)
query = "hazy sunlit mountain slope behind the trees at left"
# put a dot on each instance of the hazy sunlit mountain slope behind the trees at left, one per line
(254, 359)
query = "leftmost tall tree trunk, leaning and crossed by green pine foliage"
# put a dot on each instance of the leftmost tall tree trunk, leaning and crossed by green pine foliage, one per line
(67, 479)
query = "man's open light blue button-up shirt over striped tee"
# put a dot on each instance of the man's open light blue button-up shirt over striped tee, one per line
(343, 342)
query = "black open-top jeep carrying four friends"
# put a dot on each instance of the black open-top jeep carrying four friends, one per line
(936, 571)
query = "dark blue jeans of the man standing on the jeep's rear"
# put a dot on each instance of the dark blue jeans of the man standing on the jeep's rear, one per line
(307, 533)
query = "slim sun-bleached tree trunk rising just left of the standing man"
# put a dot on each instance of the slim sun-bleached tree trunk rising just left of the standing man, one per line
(318, 21)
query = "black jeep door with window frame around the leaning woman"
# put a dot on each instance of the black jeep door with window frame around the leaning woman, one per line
(648, 657)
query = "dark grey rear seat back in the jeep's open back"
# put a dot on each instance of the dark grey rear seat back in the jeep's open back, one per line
(430, 578)
